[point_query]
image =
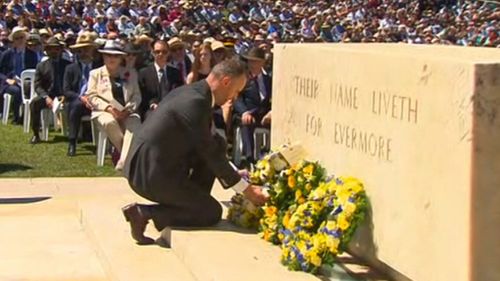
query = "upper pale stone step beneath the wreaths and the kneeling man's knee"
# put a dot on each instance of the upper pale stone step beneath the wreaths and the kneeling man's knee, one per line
(226, 253)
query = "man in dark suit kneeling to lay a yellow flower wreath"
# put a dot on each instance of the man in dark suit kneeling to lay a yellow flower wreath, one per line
(176, 156)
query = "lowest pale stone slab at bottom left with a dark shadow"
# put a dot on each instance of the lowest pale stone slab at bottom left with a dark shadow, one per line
(42, 239)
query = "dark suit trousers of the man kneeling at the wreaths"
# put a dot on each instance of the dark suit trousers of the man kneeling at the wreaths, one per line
(187, 205)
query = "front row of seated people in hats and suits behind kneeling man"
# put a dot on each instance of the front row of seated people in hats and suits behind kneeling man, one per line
(117, 96)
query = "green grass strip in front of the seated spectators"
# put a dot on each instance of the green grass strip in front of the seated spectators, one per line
(19, 158)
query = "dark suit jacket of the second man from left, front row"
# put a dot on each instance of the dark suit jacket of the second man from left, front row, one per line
(44, 78)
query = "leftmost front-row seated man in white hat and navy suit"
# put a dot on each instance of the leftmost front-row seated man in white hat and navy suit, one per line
(12, 62)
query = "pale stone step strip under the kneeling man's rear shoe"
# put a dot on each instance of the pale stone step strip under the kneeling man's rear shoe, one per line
(122, 259)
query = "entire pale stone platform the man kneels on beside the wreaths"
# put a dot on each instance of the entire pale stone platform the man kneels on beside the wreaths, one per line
(73, 229)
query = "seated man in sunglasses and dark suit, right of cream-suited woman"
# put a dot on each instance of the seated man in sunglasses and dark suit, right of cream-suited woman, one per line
(158, 79)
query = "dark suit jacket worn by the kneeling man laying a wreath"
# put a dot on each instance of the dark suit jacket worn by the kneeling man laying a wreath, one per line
(177, 132)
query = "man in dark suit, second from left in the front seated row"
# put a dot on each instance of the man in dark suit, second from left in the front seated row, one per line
(48, 83)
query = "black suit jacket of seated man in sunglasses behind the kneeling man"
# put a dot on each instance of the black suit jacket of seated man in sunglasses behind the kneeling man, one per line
(150, 85)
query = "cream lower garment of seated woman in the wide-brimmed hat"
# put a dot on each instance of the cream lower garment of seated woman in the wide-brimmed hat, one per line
(120, 133)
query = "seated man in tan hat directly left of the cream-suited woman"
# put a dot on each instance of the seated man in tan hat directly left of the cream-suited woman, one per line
(76, 78)
